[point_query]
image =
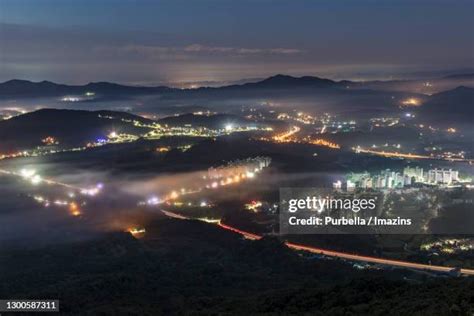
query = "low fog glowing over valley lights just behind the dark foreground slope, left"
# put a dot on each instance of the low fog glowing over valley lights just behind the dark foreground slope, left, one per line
(39, 213)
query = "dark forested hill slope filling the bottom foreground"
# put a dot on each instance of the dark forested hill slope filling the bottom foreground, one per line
(195, 268)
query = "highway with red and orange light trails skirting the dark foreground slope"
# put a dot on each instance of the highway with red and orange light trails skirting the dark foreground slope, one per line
(339, 254)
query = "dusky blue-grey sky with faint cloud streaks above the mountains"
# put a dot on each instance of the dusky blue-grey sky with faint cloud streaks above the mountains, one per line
(149, 42)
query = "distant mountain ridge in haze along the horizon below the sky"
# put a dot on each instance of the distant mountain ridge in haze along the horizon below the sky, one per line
(280, 82)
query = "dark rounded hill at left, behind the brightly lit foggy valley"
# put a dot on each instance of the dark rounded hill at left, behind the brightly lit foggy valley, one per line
(69, 127)
